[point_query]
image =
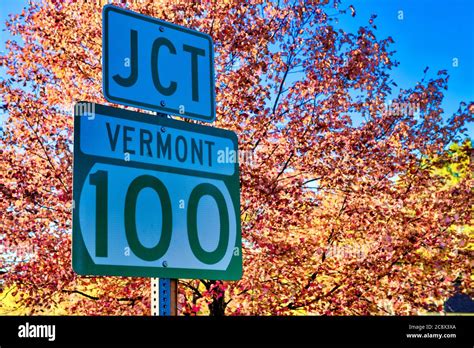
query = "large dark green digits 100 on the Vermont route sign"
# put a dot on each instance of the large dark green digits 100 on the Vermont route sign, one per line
(99, 179)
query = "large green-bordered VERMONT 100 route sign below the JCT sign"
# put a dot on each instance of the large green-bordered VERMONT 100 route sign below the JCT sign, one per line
(154, 197)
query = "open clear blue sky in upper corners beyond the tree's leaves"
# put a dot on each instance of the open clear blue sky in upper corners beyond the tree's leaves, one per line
(432, 33)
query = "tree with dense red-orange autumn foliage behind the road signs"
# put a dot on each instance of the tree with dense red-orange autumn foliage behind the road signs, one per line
(337, 218)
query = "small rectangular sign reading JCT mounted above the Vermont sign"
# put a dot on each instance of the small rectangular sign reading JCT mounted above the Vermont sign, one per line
(152, 64)
